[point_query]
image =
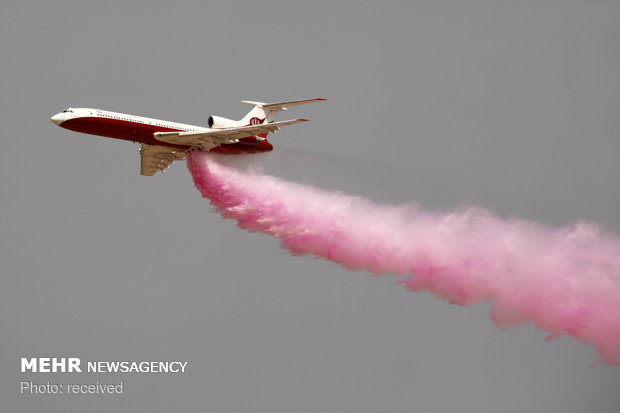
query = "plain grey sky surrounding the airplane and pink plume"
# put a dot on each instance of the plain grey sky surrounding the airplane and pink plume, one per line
(512, 106)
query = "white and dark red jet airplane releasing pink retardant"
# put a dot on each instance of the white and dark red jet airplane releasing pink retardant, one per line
(163, 142)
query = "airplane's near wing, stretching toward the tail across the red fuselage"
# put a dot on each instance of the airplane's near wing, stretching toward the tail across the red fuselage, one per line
(215, 137)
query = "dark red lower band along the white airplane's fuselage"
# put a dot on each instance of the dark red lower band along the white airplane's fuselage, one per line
(143, 133)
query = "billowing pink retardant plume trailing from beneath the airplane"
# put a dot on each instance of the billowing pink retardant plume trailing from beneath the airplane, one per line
(565, 281)
